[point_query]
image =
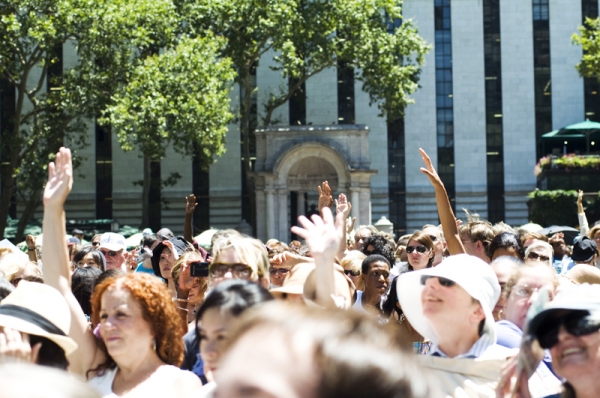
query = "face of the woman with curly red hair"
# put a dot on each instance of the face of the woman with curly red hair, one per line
(123, 328)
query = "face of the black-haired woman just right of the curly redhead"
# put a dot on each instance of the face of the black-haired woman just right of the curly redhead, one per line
(214, 328)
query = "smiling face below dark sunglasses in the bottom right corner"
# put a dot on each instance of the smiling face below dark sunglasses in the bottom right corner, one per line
(576, 358)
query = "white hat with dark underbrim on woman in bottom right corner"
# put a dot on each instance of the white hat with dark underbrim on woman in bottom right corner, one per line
(583, 297)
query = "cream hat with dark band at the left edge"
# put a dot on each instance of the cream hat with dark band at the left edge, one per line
(39, 310)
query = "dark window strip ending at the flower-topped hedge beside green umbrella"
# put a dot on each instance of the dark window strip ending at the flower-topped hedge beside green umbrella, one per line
(541, 71)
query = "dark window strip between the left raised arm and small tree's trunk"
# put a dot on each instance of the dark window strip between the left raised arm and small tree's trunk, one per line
(103, 172)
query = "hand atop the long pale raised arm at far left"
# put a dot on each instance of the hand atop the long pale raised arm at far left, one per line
(60, 179)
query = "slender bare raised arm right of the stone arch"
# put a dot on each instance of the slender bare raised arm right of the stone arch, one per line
(445, 212)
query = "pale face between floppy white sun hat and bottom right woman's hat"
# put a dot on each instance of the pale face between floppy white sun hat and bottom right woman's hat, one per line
(520, 297)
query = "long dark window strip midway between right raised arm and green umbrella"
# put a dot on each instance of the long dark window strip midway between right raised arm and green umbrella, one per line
(493, 108)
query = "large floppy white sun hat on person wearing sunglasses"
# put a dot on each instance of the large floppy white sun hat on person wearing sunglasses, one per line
(469, 272)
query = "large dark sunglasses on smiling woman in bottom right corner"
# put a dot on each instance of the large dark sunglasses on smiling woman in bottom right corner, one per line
(576, 323)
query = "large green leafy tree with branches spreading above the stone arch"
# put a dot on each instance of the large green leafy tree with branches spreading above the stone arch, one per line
(308, 37)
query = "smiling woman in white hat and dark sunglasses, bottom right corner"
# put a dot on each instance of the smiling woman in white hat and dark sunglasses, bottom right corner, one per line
(569, 326)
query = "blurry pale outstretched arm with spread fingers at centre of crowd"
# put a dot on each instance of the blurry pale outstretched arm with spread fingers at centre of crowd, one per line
(323, 237)
